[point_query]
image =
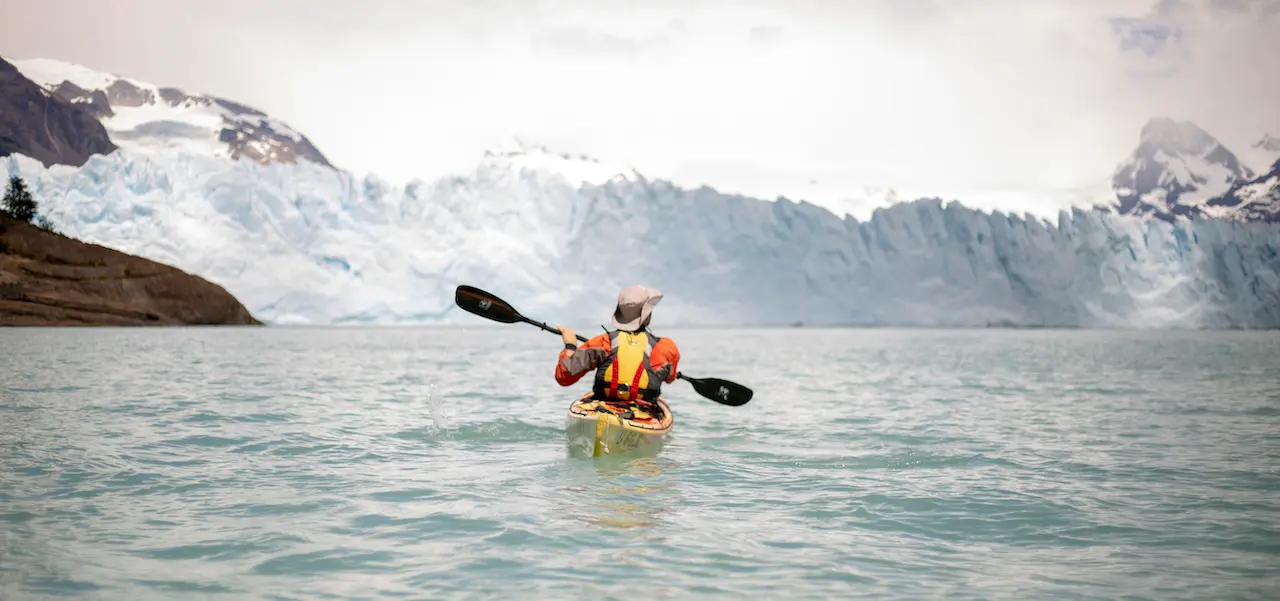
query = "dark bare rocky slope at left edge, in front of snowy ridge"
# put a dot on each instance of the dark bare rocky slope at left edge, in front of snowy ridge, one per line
(44, 127)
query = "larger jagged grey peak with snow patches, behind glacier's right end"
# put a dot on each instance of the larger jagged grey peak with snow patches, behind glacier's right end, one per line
(1177, 172)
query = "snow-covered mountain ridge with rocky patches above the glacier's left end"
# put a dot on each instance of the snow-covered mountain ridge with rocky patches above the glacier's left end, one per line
(145, 118)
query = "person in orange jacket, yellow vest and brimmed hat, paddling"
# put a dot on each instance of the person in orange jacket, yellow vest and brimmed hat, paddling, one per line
(630, 363)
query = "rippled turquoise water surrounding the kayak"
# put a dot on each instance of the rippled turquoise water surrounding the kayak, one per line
(420, 464)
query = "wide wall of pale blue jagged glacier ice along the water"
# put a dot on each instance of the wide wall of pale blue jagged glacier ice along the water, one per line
(304, 244)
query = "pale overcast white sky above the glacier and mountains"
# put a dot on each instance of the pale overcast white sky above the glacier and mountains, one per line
(1023, 105)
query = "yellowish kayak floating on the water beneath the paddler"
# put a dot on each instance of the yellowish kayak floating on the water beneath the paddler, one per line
(598, 429)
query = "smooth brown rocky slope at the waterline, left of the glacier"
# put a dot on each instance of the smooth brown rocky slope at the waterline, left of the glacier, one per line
(52, 281)
